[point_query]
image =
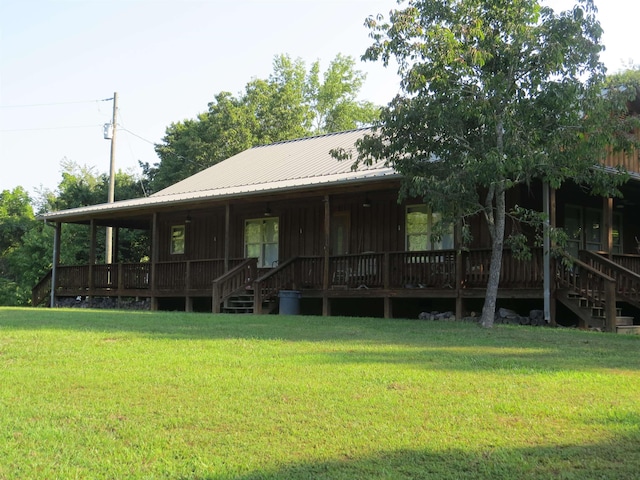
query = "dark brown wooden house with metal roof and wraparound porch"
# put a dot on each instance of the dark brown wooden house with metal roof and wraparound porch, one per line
(289, 217)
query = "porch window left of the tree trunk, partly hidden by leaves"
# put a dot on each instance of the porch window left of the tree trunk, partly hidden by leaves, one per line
(425, 230)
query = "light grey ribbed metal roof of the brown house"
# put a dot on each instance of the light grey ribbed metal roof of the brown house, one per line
(284, 166)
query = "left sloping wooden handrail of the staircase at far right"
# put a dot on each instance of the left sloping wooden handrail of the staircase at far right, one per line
(592, 284)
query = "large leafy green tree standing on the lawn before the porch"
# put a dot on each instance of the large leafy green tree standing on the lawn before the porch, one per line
(495, 94)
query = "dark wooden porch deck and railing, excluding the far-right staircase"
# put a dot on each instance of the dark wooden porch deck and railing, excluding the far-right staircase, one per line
(388, 275)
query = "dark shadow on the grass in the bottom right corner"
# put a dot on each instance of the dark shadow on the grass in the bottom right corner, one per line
(617, 459)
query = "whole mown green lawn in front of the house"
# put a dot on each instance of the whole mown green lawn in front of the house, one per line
(103, 394)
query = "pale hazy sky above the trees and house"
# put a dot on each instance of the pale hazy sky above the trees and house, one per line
(62, 60)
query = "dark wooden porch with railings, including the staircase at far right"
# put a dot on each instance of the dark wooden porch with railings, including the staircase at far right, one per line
(592, 286)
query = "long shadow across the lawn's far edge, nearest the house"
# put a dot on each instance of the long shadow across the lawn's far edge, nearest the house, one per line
(433, 345)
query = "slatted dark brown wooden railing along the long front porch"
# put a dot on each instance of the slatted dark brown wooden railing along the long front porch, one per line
(390, 270)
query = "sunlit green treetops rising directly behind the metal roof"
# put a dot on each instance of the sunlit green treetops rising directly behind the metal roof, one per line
(290, 103)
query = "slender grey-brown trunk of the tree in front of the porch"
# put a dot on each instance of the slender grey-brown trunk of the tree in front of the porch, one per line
(489, 308)
